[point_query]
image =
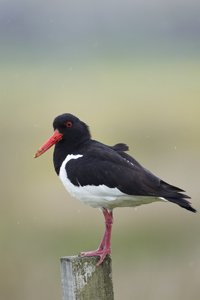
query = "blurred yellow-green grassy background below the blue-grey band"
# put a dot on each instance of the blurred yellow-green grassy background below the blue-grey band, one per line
(151, 105)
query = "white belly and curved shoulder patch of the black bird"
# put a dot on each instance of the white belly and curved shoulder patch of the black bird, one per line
(101, 195)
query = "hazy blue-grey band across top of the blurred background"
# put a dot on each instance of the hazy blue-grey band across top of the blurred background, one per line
(89, 27)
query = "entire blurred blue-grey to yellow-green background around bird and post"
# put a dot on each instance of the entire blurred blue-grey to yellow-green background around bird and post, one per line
(131, 70)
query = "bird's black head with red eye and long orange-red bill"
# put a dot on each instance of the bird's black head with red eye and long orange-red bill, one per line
(67, 128)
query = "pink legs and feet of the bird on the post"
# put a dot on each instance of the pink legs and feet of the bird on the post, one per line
(104, 247)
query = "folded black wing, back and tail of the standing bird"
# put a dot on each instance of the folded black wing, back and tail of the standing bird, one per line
(103, 165)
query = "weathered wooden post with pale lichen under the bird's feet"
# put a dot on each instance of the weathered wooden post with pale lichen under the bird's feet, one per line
(83, 280)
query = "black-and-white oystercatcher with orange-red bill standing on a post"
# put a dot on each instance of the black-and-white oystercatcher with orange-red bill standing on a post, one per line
(103, 176)
